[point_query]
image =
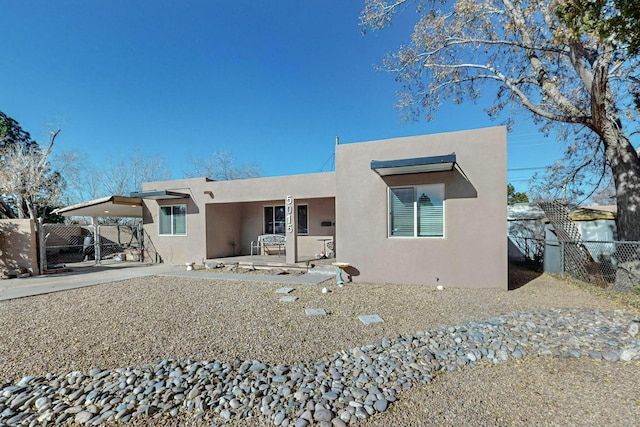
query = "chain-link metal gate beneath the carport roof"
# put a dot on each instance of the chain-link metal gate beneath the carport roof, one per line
(62, 244)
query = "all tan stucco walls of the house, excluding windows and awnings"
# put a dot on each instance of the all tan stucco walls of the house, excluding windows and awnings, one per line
(472, 254)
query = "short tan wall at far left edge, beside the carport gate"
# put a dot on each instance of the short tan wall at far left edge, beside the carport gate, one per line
(18, 248)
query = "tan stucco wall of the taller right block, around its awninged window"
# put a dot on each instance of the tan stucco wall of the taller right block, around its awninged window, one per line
(473, 253)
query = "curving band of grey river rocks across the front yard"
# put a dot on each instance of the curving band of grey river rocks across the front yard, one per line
(345, 387)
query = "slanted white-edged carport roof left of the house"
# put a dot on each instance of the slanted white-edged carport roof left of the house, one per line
(111, 206)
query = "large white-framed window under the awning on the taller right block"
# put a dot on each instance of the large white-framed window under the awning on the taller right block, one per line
(416, 211)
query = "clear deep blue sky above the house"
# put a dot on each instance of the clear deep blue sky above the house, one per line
(271, 82)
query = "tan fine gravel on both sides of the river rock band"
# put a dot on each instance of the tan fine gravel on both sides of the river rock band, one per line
(141, 321)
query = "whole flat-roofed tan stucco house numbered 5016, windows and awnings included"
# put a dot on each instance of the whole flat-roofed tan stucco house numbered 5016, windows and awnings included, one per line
(427, 209)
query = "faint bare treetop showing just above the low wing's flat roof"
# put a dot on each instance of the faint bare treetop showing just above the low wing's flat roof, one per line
(220, 166)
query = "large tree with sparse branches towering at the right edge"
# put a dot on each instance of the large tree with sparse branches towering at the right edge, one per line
(581, 85)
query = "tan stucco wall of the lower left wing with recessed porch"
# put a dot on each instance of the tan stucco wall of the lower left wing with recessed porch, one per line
(218, 212)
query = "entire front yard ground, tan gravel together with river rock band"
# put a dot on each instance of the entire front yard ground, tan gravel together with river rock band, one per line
(137, 349)
